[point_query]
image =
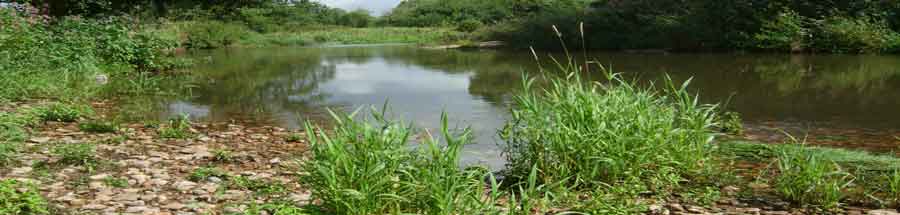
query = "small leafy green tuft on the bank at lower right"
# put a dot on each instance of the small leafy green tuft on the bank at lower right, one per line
(809, 179)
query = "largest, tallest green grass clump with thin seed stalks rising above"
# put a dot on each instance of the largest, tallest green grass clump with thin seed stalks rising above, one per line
(593, 134)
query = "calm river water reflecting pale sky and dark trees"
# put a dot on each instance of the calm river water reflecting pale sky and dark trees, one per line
(285, 86)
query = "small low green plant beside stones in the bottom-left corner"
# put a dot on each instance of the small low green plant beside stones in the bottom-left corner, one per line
(21, 198)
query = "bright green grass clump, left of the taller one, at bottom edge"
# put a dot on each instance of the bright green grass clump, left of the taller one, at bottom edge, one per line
(368, 167)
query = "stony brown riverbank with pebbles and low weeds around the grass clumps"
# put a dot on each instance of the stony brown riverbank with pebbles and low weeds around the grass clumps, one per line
(230, 168)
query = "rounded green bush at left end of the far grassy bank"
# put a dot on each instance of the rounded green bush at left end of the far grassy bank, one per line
(213, 34)
